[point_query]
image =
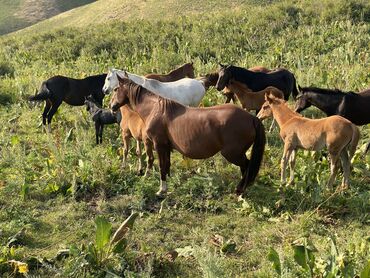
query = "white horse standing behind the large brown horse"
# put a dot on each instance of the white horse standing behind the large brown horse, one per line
(186, 91)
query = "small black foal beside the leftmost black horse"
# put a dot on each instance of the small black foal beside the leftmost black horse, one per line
(100, 117)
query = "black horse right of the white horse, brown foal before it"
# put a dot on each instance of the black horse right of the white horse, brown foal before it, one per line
(280, 78)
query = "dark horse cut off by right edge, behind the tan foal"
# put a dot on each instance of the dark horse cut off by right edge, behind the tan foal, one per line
(352, 106)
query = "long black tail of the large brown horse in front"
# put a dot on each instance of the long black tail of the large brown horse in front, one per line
(257, 153)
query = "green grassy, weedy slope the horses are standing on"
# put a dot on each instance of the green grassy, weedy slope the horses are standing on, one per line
(59, 193)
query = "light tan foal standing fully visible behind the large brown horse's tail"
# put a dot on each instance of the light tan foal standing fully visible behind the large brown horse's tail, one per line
(338, 134)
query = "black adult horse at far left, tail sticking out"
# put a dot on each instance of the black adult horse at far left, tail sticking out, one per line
(73, 91)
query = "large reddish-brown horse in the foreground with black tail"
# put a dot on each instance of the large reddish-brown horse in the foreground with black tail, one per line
(196, 133)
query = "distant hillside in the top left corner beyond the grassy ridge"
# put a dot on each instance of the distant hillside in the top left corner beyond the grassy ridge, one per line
(18, 14)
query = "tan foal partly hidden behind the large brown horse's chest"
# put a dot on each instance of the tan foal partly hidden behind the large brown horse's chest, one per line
(133, 126)
